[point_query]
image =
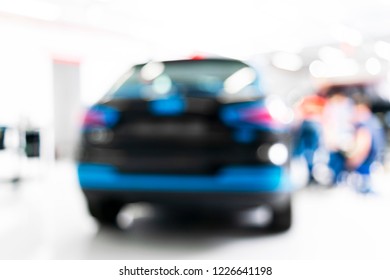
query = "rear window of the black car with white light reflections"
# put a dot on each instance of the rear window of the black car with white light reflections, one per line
(198, 78)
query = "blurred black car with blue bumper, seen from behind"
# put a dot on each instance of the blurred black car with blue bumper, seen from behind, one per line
(189, 134)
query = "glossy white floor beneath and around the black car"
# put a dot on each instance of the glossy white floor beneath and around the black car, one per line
(46, 218)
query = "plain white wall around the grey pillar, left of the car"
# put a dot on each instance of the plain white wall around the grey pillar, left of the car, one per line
(27, 50)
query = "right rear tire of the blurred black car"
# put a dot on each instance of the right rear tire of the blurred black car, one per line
(281, 217)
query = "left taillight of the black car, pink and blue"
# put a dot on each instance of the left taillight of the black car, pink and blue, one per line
(100, 116)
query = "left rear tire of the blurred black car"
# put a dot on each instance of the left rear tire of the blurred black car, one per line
(105, 212)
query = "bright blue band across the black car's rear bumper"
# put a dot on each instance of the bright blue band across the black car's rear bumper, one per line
(234, 179)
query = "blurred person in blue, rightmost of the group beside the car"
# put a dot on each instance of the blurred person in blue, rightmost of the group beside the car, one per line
(368, 143)
